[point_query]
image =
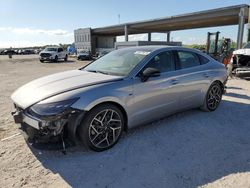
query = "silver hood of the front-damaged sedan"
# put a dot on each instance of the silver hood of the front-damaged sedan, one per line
(54, 84)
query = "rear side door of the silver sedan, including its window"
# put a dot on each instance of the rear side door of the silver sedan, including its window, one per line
(194, 78)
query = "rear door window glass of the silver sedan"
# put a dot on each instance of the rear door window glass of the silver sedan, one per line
(188, 59)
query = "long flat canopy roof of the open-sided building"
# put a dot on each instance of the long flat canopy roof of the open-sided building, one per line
(210, 18)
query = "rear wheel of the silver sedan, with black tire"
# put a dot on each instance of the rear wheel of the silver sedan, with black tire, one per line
(213, 97)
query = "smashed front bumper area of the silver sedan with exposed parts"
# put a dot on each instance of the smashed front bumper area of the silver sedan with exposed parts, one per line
(48, 128)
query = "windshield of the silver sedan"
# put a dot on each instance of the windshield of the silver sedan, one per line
(119, 62)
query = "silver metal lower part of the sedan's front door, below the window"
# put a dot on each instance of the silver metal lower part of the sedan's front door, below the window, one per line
(155, 98)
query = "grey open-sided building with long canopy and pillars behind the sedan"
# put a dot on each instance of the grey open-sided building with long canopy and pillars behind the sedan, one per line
(104, 38)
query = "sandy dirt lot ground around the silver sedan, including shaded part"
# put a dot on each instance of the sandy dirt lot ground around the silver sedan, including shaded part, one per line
(189, 149)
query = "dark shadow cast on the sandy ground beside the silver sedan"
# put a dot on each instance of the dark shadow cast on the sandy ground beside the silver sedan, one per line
(188, 149)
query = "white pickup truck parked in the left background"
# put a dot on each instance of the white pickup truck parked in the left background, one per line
(53, 54)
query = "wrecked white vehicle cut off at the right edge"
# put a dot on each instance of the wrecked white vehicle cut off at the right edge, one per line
(240, 62)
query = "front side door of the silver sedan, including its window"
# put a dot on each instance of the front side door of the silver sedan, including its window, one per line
(158, 96)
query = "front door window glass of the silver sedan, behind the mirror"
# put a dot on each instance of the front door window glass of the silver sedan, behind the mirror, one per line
(164, 62)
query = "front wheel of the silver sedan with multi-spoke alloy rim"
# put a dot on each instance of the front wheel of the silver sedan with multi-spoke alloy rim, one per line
(102, 127)
